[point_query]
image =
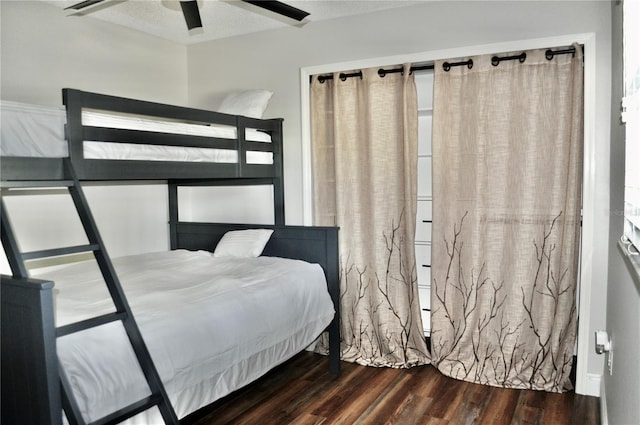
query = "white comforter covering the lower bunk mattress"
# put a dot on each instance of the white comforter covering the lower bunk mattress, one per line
(212, 325)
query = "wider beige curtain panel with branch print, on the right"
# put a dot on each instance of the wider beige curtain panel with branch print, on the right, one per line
(507, 155)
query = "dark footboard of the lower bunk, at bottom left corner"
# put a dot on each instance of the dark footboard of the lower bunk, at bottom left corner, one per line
(30, 383)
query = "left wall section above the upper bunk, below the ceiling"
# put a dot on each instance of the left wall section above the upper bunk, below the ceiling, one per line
(43, 50)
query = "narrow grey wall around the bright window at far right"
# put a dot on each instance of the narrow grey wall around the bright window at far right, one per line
(622, 386)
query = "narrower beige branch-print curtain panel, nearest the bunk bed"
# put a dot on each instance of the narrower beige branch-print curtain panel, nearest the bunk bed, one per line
(364, 150)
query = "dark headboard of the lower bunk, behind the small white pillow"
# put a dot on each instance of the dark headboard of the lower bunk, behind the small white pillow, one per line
(312, 244)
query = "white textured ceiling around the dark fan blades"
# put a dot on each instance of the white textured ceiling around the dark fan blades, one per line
(220, 18)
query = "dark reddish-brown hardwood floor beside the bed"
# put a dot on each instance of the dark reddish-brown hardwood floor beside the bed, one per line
(302, 391)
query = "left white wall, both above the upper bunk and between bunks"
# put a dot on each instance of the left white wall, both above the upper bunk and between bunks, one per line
(42, 51)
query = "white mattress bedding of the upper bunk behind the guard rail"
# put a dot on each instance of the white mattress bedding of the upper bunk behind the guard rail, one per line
(37, 131)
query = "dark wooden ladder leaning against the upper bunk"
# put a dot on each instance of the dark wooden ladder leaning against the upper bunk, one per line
(123, 313)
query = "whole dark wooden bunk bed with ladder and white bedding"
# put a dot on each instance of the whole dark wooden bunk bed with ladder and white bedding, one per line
(112, 138)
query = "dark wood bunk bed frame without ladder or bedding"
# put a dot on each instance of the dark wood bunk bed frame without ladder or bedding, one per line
(30, 377)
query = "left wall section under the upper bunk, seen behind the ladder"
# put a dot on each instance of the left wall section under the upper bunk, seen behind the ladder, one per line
(131, 218)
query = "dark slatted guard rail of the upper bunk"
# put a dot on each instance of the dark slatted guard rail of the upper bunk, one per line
(77, 132)
